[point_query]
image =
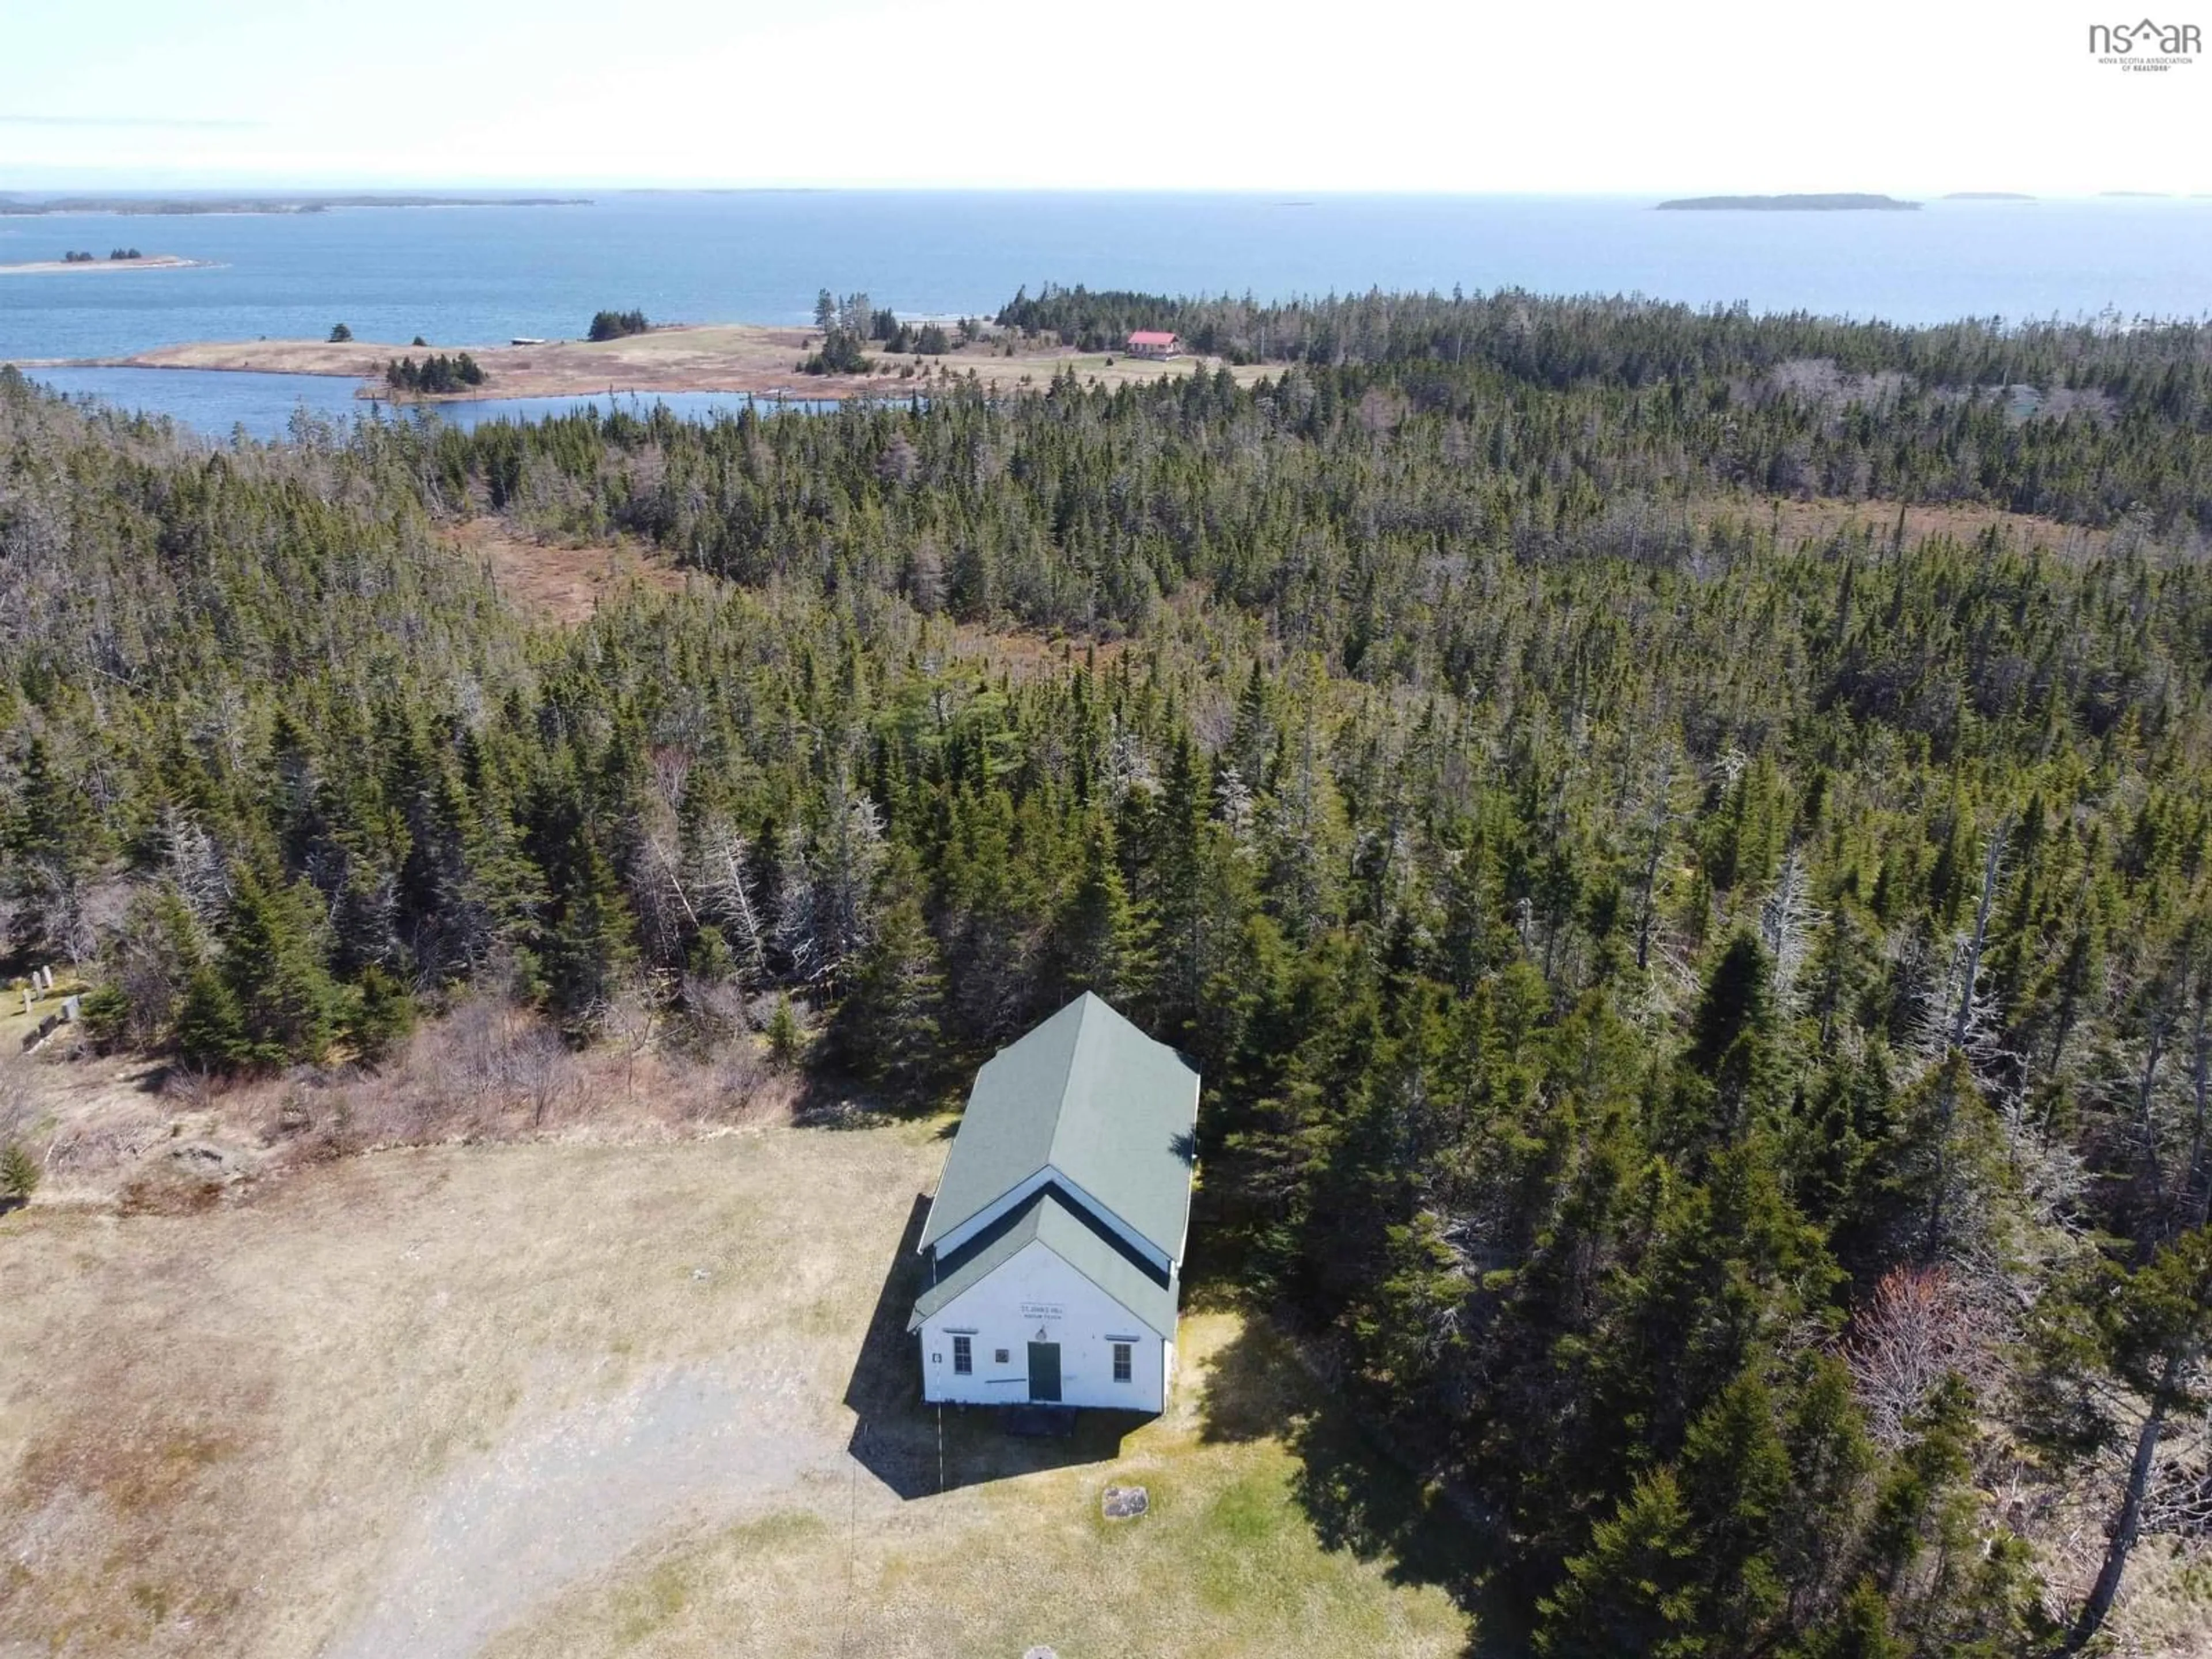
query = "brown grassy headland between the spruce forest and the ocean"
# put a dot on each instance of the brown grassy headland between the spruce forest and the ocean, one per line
(709, 357)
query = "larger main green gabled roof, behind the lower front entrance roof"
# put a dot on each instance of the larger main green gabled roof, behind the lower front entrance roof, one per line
(1094, 1098)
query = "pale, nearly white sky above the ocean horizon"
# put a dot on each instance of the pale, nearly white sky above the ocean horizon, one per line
(1662, 96)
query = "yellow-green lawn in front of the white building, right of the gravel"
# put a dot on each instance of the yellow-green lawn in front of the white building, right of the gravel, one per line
(1260, 1541)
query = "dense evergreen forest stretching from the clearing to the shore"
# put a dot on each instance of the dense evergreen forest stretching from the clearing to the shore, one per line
(1678, 842)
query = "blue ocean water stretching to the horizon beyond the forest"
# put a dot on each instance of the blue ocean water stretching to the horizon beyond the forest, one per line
(483, 275)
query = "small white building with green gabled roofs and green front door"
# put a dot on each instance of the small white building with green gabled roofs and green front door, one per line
(1056, 1238)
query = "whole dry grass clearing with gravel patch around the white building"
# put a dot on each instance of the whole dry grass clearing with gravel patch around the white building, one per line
(572, 1399)
